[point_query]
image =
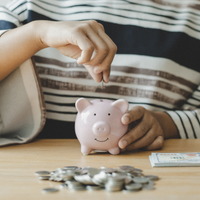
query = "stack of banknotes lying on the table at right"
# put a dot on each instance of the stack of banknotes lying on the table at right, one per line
(175, 159)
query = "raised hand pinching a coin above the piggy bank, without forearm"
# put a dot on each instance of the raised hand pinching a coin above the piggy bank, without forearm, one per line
(85, 41)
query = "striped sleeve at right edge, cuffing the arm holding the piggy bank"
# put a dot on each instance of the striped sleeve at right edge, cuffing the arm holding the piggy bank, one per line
(187, 120)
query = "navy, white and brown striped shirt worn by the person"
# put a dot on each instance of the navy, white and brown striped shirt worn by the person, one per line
(157, 64)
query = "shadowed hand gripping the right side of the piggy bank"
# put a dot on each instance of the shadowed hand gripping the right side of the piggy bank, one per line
(145, 131)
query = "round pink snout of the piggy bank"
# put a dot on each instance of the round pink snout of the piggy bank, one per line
(101, 128)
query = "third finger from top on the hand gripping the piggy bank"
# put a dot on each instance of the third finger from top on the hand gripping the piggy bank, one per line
(143, 141)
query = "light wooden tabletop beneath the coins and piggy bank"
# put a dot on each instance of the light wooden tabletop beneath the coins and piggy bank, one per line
(19, 163)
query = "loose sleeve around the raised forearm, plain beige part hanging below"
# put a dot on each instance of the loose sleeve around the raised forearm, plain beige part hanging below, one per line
(22, 108)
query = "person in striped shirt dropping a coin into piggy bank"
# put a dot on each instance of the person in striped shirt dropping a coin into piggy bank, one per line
(145, 51)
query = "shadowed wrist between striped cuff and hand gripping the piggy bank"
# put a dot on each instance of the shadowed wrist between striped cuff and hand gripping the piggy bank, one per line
(167, 124)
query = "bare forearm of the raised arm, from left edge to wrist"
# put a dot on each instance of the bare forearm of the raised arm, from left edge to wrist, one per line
(16, 46)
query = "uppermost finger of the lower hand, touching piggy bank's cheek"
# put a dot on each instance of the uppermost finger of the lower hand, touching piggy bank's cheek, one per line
(134, 114)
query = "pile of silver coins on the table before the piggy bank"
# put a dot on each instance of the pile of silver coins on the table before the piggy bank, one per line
(125, 178)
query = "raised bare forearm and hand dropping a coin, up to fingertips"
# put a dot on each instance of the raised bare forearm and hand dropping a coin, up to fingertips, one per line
(79, 40)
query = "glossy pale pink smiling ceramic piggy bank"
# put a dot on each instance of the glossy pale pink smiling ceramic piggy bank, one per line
(98, 124)
